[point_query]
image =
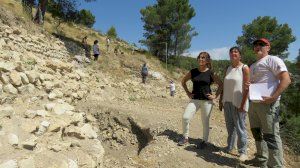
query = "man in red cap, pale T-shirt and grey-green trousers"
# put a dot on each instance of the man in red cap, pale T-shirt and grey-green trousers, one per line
(264, 115)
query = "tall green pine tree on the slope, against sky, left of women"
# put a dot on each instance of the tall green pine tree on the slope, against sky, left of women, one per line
(168, 22)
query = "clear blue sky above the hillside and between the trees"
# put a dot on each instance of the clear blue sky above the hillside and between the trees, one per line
(218, 22)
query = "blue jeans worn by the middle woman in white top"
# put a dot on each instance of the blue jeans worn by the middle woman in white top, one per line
(236, 125)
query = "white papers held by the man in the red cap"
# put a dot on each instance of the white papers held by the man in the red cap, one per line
(257, 90)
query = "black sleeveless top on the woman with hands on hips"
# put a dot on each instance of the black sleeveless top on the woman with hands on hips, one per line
(201, 83)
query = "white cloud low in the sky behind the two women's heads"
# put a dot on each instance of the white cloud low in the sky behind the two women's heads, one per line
(215, 53)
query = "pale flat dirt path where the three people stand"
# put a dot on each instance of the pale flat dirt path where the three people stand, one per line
(162, 116)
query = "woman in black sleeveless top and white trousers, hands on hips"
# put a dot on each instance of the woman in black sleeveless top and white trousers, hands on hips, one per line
(201, 96)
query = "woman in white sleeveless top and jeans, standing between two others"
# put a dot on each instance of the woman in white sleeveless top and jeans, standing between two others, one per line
(235, 102)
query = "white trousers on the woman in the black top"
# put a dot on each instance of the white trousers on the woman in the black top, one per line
(193, 106)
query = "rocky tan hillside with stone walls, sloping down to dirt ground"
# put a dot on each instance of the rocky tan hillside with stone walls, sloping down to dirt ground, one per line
(60, 110)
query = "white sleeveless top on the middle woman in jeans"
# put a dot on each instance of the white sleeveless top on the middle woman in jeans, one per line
(233, 86)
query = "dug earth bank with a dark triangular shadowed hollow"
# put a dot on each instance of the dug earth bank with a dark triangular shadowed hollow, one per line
(121, 132)
